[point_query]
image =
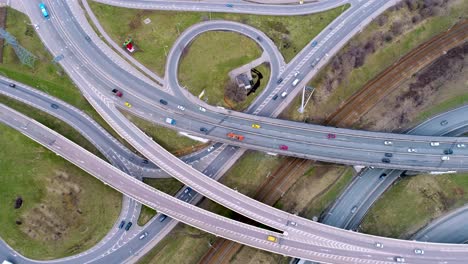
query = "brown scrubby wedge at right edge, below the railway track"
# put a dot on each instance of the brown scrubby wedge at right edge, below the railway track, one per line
(439, 87)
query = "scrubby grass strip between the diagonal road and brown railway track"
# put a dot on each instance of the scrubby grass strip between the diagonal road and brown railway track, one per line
(381, 44)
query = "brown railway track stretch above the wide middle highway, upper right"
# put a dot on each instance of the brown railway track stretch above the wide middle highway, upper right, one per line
(388, 80)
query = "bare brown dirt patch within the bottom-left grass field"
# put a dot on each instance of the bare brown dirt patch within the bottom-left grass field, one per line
(58, 213)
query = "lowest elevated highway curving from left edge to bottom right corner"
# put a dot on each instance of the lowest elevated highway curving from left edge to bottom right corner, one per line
(313, 247)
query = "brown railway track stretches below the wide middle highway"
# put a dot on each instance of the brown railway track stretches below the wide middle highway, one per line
(272, 189)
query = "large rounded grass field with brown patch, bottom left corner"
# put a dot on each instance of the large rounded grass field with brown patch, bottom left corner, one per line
(65, 211)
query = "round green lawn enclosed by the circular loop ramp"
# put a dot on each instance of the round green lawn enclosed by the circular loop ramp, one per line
(210, 58)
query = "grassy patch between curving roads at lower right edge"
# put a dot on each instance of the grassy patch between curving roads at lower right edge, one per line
(413, 202)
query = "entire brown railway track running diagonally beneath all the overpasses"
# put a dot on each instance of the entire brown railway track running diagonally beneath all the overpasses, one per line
(357, 105)
